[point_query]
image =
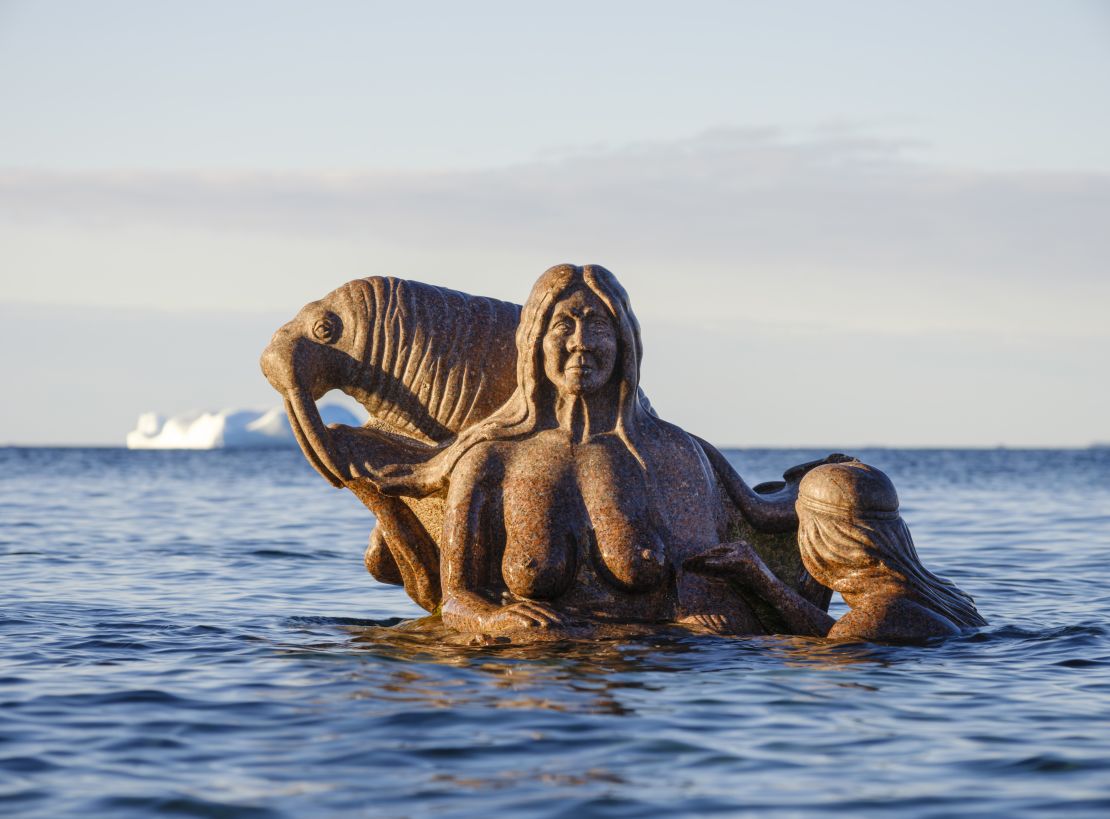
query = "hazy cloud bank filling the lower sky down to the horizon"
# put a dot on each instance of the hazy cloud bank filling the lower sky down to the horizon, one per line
(800, 291)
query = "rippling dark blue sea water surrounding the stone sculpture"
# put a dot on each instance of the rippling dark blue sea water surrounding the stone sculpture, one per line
(194, 634)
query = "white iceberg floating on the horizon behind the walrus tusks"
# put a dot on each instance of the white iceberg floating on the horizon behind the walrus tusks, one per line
(225, 430)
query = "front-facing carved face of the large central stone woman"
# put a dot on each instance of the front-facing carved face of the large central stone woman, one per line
(580, 345)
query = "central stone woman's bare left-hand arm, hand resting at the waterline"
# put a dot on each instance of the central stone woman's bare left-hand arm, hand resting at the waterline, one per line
(467, 560)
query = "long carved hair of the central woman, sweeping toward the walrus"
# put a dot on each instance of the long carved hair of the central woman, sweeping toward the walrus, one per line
(522, 413)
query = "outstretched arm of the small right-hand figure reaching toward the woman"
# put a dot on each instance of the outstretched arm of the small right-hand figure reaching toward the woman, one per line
(740, 563)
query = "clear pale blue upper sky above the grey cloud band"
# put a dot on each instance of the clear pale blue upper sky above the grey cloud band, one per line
(415, 86)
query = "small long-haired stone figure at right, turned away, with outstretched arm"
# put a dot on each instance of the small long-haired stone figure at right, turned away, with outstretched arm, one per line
(853, 541)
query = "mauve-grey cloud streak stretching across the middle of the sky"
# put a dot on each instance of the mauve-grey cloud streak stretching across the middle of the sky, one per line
(837, 204)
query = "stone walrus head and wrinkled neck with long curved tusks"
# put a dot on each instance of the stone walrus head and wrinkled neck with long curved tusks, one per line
(423, 361)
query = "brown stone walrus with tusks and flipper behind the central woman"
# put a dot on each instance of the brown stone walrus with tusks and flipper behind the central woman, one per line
(426, 363)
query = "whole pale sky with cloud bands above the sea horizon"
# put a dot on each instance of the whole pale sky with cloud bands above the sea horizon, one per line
(841, 225)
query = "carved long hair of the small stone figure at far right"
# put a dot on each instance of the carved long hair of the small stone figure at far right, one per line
(854, 541)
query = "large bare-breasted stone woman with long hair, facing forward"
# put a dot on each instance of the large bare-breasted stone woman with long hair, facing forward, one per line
(573, 502)
